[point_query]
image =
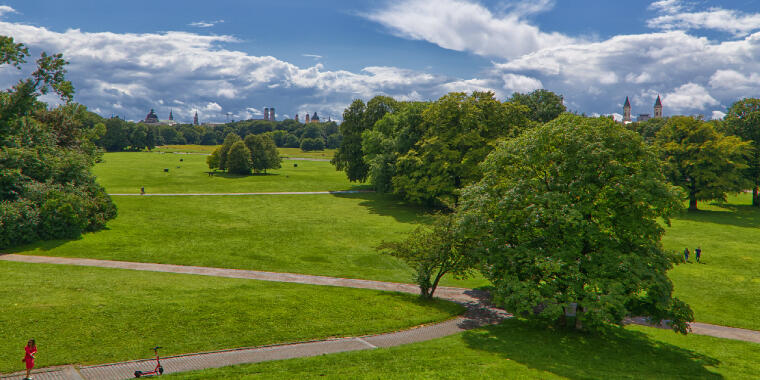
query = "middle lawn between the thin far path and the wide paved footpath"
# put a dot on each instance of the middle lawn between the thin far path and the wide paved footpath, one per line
(331, 235)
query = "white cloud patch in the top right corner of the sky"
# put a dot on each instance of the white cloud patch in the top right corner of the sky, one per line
(678, 15)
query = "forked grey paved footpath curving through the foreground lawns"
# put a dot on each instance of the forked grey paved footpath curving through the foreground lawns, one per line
(479, 313)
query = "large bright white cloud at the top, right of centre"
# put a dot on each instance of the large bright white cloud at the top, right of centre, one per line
(467, 26)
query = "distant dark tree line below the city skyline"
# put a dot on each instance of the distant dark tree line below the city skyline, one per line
(124, 135)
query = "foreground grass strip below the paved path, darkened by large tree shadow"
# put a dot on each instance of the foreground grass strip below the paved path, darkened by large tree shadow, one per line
(516, 350)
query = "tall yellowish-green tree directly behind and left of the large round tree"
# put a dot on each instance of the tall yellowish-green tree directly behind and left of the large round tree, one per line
(459, 132)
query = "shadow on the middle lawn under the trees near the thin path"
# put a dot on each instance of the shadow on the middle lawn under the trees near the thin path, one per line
(387, 205)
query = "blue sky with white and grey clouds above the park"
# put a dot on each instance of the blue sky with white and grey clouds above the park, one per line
(234, 58)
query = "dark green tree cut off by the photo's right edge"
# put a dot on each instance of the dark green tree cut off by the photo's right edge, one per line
(743, 120)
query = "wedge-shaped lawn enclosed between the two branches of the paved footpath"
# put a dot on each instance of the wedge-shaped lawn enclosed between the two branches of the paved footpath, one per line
(96, 315)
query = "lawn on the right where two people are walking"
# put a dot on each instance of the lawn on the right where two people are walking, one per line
(724, 288)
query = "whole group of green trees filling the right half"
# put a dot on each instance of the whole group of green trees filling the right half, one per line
(561, 212)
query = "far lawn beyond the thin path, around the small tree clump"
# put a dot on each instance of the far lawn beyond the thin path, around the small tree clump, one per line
(128, 172)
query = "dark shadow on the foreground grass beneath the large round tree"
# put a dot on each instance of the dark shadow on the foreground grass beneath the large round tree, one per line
(617, 353)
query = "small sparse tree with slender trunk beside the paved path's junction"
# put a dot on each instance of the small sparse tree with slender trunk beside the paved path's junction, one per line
(432, 253)
